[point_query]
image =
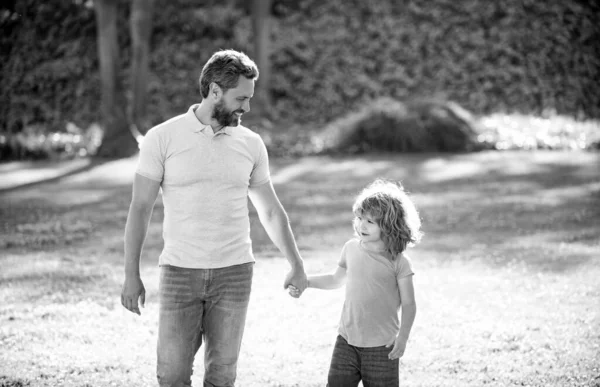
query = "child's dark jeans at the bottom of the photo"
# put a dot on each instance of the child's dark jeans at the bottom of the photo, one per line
(350, 365)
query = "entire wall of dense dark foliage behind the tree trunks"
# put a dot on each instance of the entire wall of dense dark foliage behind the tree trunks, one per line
(330, 57)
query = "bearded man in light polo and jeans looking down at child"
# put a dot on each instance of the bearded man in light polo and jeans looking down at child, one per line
(207, 166)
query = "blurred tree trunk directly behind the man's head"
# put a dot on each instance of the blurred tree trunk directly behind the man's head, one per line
(261, 19)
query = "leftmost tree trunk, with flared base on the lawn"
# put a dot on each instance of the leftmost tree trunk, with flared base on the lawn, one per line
(117, 141)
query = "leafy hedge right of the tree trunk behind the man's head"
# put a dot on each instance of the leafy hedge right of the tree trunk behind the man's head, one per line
(513, 55)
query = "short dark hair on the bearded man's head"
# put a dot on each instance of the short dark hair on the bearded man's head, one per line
(224, 68)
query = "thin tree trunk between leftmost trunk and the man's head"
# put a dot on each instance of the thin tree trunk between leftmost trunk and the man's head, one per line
(141, 31)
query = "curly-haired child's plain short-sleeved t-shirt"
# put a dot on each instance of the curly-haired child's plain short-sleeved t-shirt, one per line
(370, 313)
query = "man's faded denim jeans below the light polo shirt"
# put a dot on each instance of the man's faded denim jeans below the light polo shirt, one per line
(197, 305)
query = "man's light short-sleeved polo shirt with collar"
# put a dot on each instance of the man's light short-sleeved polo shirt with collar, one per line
(204, 180)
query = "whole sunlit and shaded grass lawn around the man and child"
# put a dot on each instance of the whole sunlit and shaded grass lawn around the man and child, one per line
(507, 275)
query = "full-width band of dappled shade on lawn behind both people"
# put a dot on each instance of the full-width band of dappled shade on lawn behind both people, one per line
(539, 208)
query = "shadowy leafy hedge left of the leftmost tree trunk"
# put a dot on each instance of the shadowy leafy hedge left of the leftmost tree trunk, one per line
(49, 67)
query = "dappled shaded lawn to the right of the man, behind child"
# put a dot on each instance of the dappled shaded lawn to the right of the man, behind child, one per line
(540, 209)
